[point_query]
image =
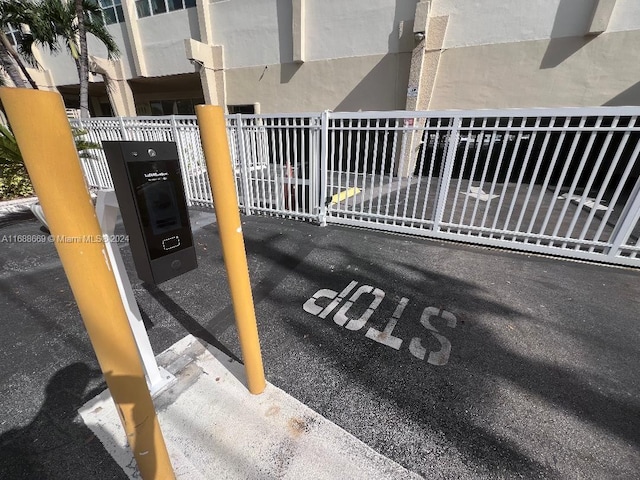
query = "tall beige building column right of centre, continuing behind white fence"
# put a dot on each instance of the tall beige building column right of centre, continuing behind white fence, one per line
(429, 33)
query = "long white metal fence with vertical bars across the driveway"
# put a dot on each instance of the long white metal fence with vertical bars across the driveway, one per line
(557, 181)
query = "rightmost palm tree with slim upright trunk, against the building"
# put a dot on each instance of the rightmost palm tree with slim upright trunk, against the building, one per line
(67, 22)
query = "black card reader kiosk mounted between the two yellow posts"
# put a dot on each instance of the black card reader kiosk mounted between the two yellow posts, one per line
(148, 185)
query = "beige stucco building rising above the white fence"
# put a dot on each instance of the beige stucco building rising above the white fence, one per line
(275, 56)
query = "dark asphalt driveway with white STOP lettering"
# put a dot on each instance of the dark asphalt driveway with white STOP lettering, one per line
(454, 361)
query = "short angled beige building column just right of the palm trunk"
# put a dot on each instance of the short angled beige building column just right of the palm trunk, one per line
(118, 89)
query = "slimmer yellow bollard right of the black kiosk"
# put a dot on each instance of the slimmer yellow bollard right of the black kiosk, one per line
(213, 133)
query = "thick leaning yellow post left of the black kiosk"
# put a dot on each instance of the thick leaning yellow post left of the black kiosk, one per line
(40, 125)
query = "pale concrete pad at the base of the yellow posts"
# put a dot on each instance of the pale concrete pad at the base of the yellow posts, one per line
(214, 428)
